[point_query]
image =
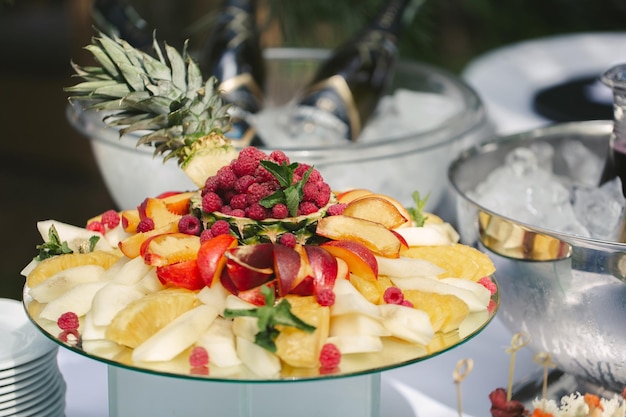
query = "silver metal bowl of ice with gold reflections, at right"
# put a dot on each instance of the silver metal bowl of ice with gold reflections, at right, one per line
(562, 283)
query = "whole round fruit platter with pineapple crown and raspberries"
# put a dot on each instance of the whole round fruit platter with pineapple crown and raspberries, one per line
(262, 273)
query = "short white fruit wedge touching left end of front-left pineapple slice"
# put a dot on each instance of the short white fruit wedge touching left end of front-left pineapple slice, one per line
(110, 300)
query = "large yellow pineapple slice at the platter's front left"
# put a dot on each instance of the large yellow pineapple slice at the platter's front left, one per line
(142, 318)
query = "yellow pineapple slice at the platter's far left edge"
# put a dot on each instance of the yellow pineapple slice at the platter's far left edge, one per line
(48, 267)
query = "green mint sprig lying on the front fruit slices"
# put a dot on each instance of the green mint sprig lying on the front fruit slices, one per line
(270, 316)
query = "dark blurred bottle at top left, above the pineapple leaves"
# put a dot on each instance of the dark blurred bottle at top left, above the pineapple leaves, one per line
(119, 18)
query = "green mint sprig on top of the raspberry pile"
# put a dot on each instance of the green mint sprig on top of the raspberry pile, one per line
(289, 193)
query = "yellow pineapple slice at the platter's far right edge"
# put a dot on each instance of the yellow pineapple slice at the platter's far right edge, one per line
(459, 261)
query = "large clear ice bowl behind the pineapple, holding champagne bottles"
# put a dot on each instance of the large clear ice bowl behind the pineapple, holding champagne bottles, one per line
(428, 117)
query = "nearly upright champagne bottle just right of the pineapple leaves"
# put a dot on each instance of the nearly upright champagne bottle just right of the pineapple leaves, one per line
(233, 55)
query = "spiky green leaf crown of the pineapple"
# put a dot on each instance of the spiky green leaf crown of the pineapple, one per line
(165, 94)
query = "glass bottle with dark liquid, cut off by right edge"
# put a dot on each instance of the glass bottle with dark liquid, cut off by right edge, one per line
(615, 164)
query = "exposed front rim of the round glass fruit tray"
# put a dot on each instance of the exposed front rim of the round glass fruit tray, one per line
(394, 354)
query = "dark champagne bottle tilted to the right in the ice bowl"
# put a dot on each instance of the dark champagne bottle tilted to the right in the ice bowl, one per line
(347, 87)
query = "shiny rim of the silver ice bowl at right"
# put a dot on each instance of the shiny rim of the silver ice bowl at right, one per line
(585, 127)
